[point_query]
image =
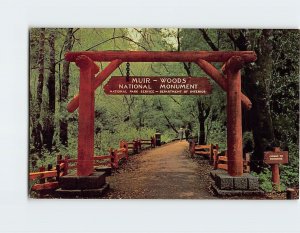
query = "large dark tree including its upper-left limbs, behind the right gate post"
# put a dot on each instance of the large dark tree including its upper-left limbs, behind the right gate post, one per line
(256, 83)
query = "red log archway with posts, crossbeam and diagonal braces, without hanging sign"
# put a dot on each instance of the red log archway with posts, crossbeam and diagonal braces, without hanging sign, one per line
(229, 80)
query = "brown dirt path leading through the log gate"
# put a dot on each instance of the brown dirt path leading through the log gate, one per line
(162, 173)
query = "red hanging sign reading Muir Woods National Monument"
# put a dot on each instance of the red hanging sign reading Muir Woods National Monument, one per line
(141, 85)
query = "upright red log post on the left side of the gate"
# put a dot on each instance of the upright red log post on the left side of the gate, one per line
(86, 116)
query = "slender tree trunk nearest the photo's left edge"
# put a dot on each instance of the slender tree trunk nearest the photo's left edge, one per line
(36, 126)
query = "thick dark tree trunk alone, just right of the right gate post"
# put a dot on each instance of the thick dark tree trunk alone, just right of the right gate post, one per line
(258, 90)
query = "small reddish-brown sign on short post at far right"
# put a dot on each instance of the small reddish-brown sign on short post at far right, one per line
(274, 158)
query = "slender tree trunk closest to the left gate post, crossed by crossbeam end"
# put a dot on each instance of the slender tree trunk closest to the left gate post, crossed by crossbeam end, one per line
(63, 134)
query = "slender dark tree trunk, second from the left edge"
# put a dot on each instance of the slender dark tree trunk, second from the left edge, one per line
(48, 129)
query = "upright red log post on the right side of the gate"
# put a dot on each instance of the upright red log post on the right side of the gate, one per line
(234, 116)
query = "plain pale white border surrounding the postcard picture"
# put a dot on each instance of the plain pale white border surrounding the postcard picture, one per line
(18, 214)
